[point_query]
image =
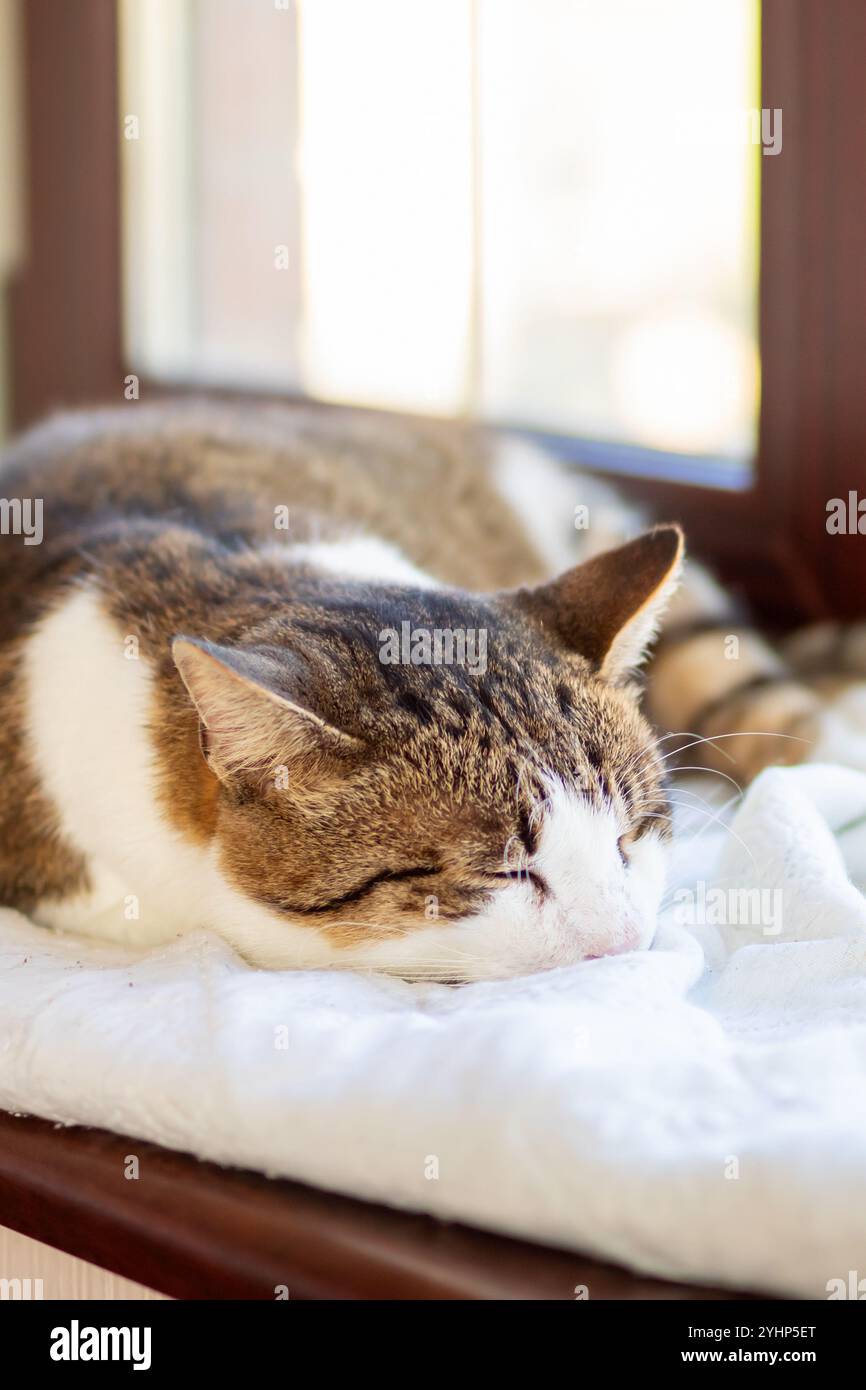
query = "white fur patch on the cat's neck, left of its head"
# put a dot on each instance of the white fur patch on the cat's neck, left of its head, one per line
(90, 705)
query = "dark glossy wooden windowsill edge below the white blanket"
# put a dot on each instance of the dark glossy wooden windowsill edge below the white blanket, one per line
(195, 1231)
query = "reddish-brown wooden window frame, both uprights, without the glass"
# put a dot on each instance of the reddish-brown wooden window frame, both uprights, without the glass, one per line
(769, 539)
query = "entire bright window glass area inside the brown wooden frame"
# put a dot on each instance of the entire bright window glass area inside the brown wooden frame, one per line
(544, 215)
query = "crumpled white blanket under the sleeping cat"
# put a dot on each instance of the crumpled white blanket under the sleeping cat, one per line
(698, 1111)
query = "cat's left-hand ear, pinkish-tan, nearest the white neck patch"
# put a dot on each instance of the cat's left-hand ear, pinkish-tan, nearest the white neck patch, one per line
(250, 726)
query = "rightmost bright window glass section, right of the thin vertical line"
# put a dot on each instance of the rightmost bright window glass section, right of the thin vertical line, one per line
(621, 219)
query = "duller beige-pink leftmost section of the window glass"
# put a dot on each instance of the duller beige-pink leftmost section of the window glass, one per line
(211, 191)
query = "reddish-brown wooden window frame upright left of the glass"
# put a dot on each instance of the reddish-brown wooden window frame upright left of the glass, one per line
(66, 302)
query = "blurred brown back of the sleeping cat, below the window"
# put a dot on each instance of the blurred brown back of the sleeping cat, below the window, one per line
(241, 472)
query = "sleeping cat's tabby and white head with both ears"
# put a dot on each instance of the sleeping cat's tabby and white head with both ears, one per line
(457, 808)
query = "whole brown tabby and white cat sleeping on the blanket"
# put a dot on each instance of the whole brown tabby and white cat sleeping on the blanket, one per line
(302, 676)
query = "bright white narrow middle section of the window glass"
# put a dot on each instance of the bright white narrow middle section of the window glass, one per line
(387, 201)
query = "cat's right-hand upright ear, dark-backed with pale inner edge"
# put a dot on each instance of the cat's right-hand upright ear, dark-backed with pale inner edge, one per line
(610, 608)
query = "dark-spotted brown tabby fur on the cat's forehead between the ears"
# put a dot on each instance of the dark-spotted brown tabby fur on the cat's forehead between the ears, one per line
(461, 692)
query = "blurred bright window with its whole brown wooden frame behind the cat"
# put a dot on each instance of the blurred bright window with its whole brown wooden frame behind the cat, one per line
(630, 229)
